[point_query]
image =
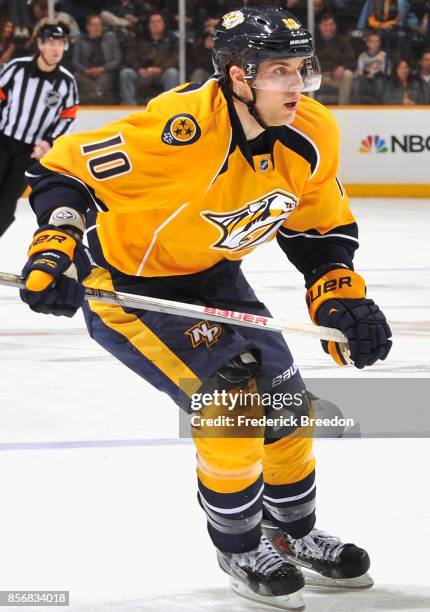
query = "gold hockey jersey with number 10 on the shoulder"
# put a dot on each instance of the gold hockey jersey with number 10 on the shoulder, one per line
(175, 189)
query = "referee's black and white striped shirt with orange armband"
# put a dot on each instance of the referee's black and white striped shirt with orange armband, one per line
(36, 105)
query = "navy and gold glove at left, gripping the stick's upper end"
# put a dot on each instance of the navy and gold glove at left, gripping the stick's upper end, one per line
(56, 266)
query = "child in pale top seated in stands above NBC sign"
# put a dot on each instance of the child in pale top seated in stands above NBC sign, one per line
(372, 68)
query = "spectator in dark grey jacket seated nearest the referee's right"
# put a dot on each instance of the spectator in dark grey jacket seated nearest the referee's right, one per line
(96, 57)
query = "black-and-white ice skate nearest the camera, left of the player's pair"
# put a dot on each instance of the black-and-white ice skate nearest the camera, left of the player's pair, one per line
(264, 576)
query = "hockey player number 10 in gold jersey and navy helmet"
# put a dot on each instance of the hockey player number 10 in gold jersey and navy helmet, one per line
(171, 199)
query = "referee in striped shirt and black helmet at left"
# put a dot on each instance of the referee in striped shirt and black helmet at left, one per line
(38, 103)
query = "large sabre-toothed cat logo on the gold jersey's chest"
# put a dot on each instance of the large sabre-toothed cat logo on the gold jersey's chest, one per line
(254, 223)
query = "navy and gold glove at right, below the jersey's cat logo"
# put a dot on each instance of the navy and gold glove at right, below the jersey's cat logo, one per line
(338, 299)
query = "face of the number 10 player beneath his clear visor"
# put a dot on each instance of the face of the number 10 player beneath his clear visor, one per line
(279, 85)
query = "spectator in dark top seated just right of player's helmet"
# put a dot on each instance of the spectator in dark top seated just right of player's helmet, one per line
(337, 60)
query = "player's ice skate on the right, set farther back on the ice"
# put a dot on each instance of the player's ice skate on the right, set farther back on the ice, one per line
(323, 559)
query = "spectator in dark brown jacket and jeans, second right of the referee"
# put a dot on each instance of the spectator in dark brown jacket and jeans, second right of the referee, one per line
(152, 63)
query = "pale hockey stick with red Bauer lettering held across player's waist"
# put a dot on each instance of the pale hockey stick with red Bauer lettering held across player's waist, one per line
(200, 312)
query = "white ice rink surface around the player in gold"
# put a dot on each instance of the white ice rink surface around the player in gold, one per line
(118, 524)
